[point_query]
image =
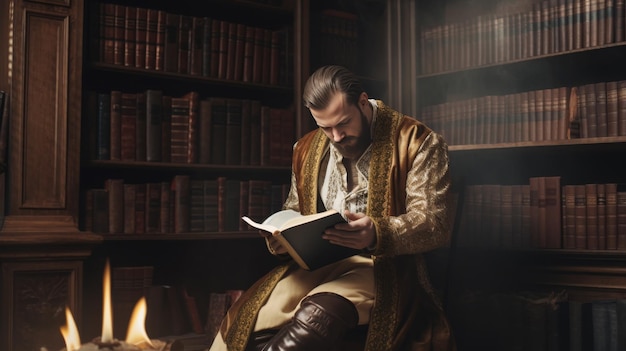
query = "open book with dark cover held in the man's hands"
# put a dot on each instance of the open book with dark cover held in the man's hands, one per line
(301, 235)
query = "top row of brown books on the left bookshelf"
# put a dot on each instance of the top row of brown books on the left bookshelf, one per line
(157, 40)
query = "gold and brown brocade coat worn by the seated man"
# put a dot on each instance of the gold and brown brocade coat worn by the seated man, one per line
(408, 200)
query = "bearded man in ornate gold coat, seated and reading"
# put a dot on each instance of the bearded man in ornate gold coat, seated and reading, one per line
(388, 173)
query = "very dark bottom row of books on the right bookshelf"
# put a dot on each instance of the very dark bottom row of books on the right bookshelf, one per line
(539, 321)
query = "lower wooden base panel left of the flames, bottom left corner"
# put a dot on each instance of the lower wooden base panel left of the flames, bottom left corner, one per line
(35, 296)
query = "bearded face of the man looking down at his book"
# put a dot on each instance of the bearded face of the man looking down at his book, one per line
(345, 125)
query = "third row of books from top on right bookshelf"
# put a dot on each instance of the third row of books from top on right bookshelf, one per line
(544, 214)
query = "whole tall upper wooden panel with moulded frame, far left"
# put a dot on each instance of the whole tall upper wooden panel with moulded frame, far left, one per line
(45, 116)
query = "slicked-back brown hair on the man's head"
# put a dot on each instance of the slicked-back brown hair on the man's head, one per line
(328, 80)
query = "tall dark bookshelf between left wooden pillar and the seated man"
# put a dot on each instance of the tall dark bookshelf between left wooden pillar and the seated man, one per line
(236, 108)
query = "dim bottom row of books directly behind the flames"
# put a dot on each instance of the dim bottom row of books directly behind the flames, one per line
(173, 314)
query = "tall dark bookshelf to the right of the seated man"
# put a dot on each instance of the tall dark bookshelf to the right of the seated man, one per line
(478, 65)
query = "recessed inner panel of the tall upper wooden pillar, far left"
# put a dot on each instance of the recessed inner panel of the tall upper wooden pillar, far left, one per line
(44, 130)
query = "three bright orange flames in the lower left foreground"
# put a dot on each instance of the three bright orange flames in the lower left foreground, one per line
(136, 336)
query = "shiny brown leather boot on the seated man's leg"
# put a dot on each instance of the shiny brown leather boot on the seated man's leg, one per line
(319, 324)
